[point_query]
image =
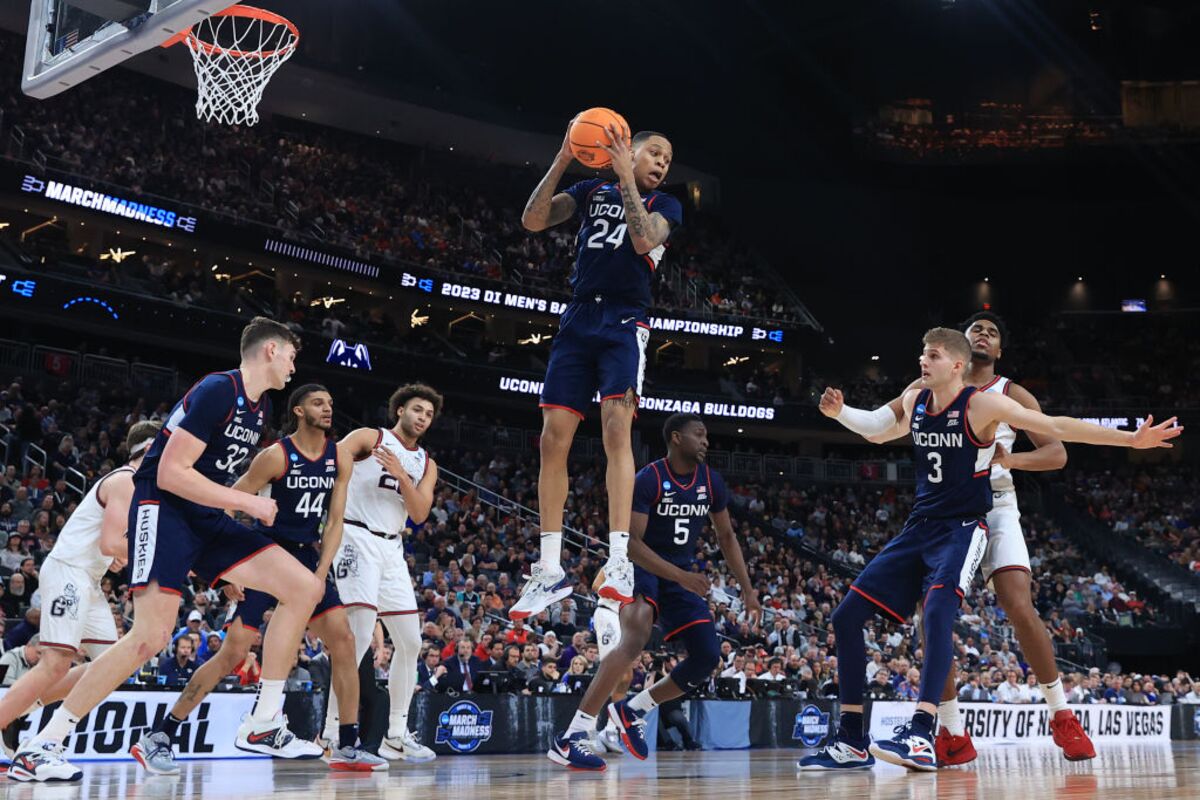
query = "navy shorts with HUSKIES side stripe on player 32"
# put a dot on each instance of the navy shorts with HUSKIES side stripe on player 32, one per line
(171, 538)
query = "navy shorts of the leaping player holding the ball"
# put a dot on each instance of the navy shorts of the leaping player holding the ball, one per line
(601, 348)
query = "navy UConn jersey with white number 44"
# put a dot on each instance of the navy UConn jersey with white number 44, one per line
(302, 495)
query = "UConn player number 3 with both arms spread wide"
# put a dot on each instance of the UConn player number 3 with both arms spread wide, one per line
(934, 558)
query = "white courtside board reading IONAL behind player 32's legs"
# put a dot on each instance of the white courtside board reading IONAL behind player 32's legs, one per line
(117, 724)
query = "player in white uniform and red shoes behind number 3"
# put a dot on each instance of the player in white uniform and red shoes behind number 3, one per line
(1006, 562)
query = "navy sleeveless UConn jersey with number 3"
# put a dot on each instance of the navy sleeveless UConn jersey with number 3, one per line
(953, 467)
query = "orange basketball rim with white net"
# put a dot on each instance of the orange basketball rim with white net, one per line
(236, 52)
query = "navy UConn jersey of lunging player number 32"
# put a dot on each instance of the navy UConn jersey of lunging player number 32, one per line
(217, 412)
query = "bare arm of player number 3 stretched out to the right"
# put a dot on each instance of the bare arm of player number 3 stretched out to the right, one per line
(998, 408)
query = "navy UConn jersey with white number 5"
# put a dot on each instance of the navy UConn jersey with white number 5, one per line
(679, 508)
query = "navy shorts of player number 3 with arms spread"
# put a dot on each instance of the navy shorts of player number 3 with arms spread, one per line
(927, 555)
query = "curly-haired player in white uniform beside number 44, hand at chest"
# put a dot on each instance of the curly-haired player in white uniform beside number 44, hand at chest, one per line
(392, 484)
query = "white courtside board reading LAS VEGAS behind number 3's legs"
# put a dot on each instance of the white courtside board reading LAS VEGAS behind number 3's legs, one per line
(1000, 723)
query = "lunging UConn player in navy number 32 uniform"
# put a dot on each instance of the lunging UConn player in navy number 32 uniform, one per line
(178, 524)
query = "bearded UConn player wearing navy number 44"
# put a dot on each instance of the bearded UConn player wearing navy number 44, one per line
(308, 476)
